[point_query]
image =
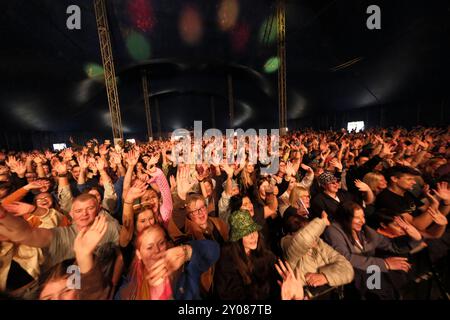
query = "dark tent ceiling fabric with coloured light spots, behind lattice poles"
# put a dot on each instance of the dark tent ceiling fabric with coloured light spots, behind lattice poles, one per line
(52, 77)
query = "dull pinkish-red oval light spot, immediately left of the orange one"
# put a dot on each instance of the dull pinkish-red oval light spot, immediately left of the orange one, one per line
(190, 25)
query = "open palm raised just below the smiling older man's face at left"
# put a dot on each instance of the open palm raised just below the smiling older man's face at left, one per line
(89, 238)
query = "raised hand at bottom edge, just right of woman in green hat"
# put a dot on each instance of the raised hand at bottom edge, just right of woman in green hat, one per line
(291, 286)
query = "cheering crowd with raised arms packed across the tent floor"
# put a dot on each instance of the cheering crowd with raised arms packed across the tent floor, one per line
(97, 221)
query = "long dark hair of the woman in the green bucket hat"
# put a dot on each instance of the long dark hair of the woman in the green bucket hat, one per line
(254, 269)
